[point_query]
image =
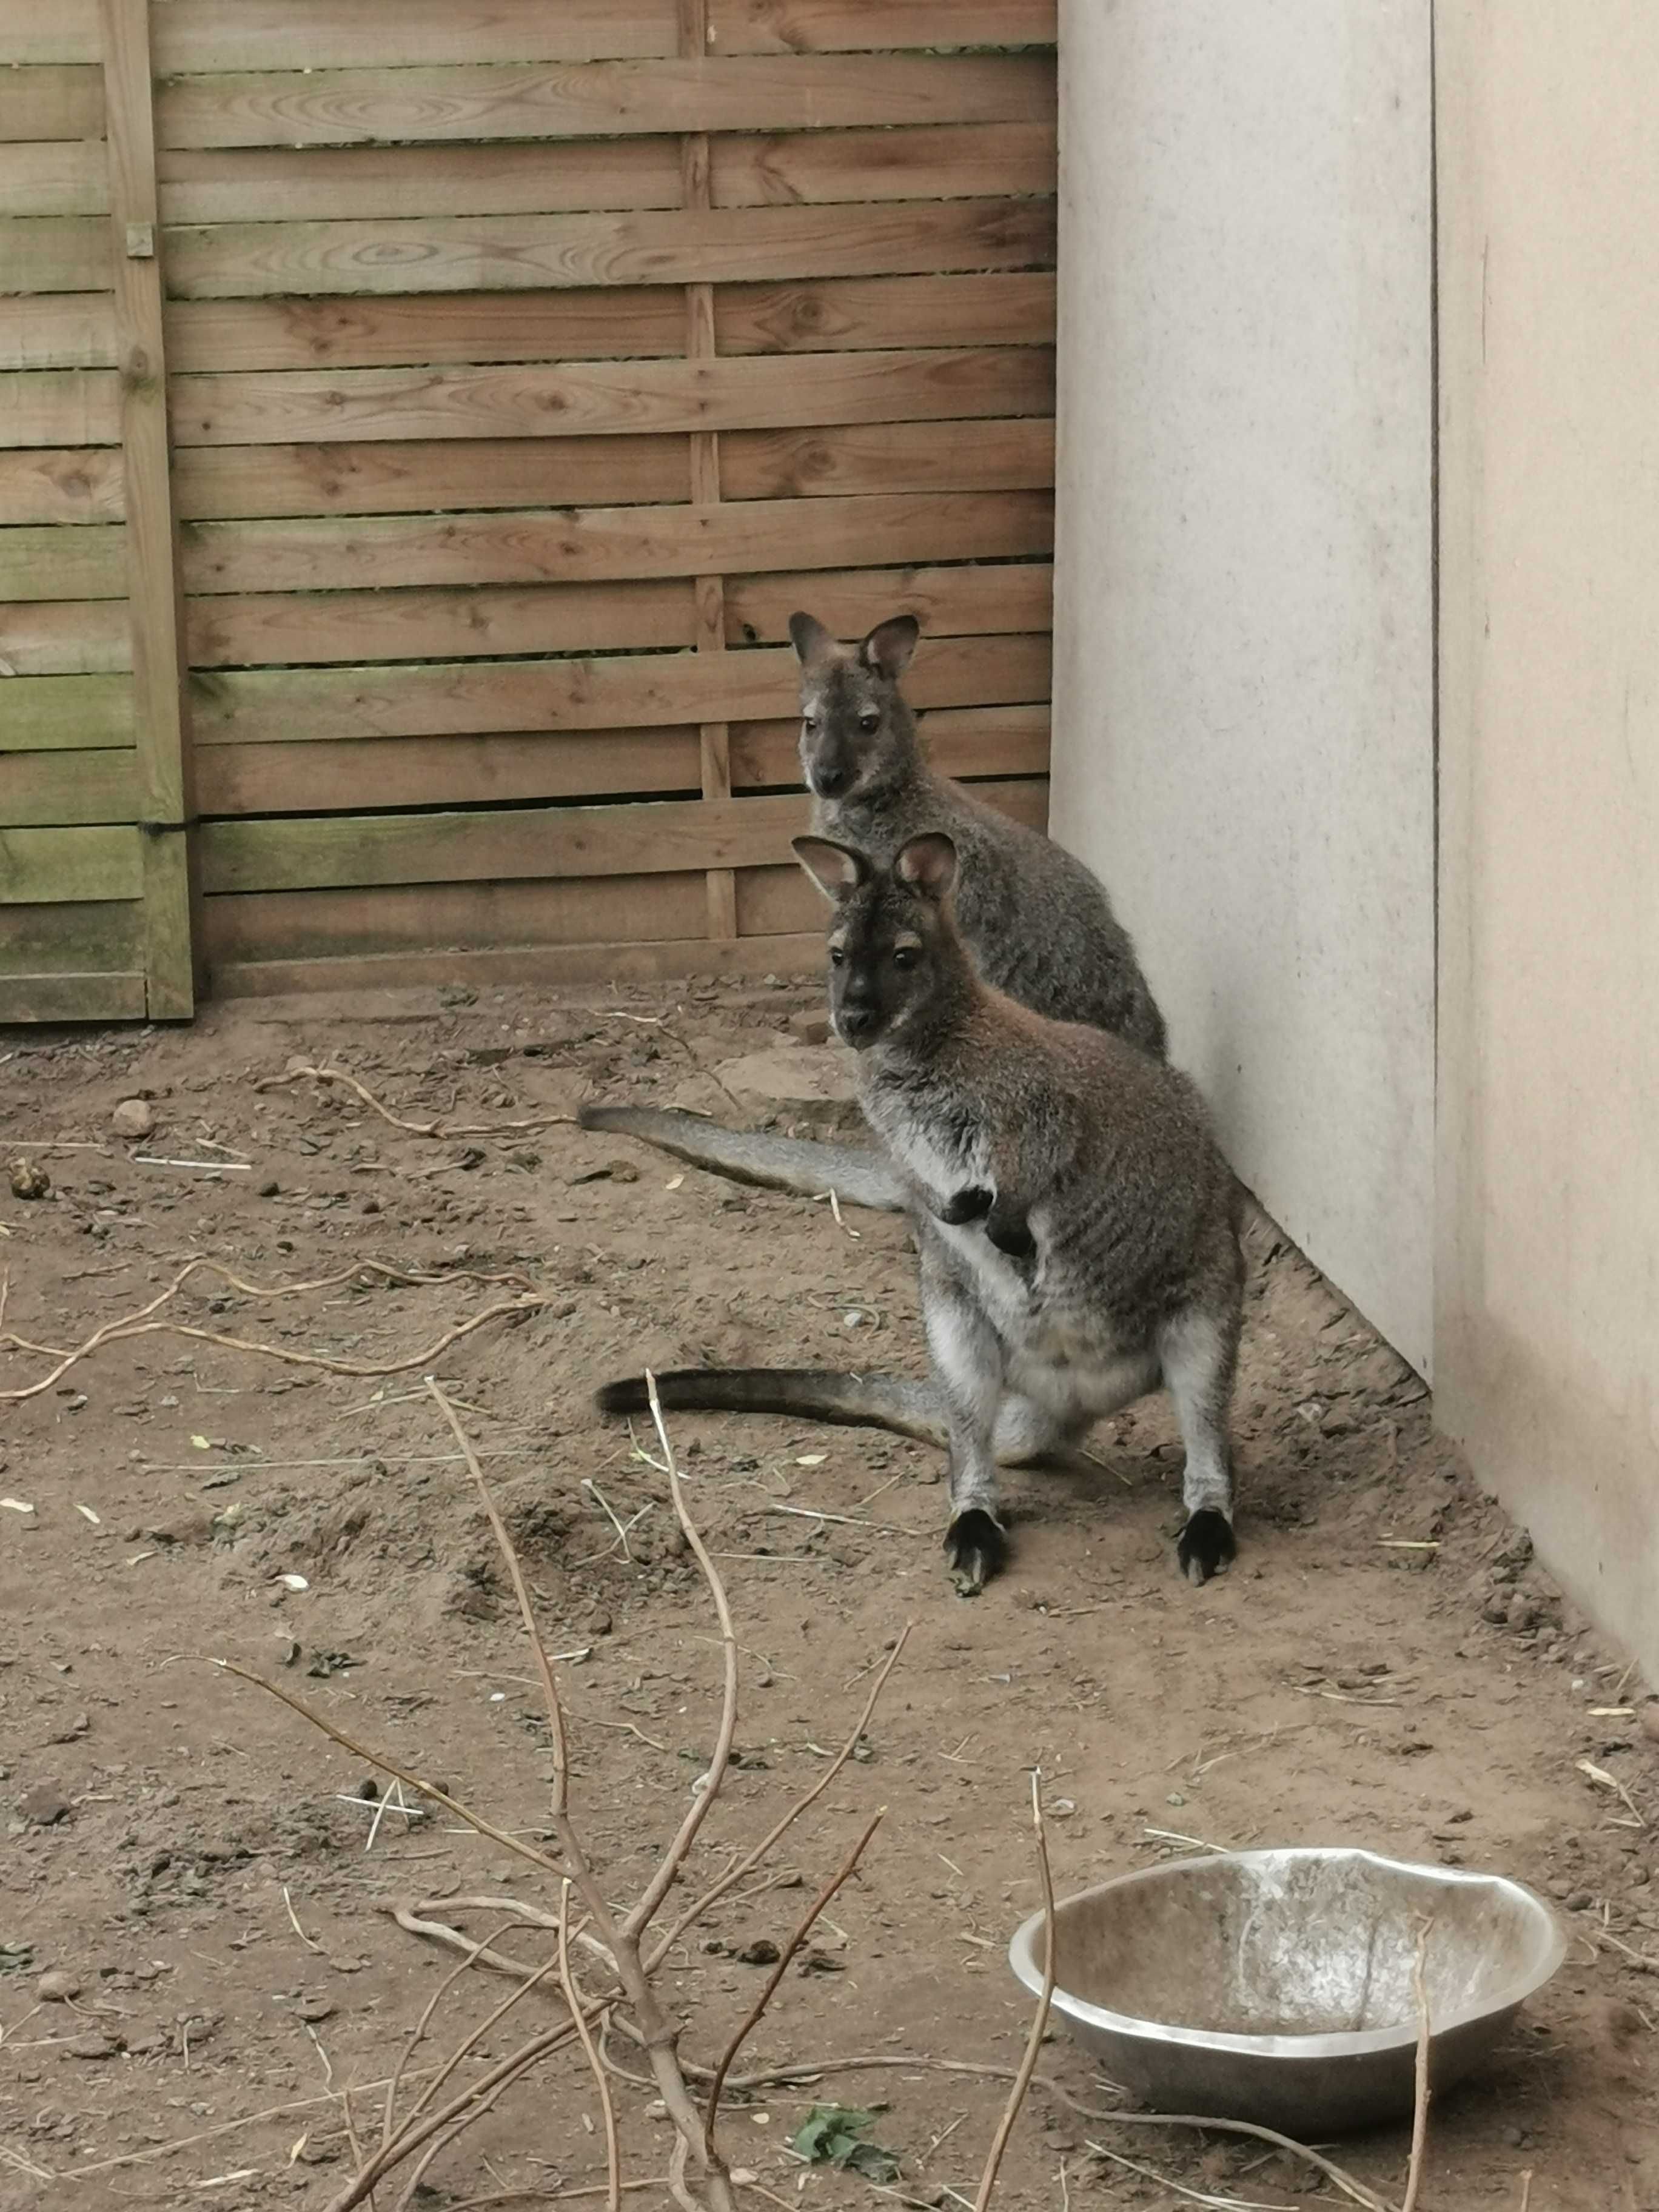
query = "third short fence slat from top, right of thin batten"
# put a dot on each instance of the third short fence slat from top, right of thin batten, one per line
(988, 309)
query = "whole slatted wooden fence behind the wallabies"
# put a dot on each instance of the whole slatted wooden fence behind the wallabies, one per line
(523, 368)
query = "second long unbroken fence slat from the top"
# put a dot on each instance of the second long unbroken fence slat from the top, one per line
(499, 253)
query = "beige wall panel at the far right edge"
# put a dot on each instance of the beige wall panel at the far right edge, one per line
(1550, 924)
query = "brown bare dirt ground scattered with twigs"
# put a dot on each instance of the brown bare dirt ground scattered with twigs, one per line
(1384, 1667)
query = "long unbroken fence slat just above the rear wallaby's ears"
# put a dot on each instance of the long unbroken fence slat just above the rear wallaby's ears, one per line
(612, 543)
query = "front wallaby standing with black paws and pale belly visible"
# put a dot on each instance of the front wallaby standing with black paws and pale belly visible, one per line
(1076, 1220)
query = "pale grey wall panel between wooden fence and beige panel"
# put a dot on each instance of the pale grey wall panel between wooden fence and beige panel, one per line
(1244, 570)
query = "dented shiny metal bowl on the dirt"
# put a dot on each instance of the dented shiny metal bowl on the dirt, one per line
(1280, 1985)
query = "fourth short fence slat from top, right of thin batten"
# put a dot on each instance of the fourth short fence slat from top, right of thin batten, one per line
(888, 457)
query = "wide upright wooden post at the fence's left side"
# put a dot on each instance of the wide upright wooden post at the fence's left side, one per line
(156, 605)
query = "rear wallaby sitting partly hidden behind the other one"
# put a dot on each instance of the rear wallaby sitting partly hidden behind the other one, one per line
(1036, 921)
